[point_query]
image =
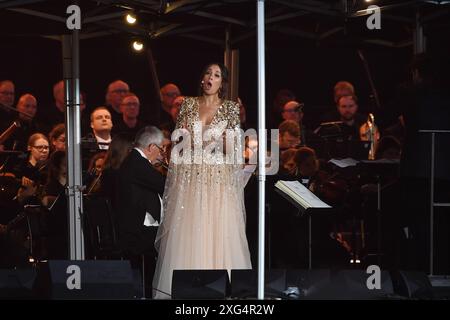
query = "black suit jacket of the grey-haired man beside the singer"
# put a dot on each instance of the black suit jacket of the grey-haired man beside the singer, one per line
(137, 193)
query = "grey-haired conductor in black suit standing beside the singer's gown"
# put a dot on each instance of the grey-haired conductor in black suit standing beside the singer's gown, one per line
(139, 200)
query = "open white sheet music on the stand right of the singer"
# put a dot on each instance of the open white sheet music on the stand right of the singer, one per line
(301, 194)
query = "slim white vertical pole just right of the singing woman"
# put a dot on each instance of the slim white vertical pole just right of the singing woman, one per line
(261, 146)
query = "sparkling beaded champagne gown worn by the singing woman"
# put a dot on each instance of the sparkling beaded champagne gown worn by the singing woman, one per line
(203, 224)
